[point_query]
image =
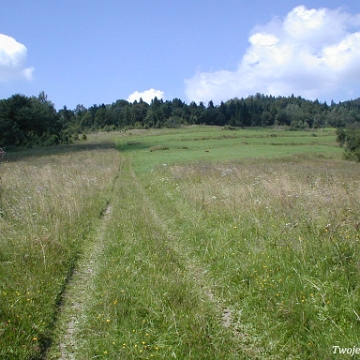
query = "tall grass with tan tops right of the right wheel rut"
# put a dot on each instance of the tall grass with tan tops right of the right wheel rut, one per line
(279, 239)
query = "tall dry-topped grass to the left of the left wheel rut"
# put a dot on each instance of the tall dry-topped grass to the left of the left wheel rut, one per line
(47, 210)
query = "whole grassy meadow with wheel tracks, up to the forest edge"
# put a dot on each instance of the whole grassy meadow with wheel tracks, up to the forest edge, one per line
(192, 243)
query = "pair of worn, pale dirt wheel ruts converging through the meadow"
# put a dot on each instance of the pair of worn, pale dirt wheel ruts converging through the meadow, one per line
(79, 290)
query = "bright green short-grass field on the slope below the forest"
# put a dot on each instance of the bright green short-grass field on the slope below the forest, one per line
(215, 144)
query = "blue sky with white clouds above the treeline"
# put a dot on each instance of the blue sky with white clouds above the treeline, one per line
(93, 52)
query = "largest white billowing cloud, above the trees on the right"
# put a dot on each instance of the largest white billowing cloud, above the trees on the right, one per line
(314, 53)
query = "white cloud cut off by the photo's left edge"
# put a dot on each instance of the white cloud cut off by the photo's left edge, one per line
(12, 60)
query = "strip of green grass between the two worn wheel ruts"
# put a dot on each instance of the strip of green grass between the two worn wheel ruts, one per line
(142, 302)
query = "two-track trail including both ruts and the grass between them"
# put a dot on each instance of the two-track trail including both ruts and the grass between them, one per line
(137, 292)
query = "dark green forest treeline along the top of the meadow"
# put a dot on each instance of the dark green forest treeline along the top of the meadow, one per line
(32, 121)
